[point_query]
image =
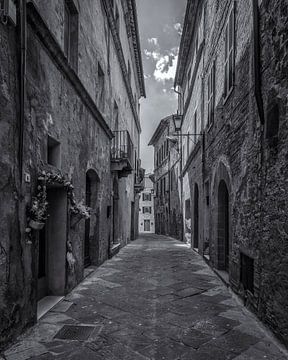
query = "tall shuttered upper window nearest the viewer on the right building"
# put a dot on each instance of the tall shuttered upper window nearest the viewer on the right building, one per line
(229, 63)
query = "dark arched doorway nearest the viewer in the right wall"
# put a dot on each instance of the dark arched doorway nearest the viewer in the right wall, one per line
(223, 226)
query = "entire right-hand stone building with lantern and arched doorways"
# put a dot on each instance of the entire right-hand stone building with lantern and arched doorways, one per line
(235, 174)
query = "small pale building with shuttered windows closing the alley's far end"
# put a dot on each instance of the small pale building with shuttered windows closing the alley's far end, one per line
(146, 207)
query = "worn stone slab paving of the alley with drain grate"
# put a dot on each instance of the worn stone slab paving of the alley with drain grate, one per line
(156, 299)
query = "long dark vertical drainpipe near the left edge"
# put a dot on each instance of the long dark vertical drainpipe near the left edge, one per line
(22, 83)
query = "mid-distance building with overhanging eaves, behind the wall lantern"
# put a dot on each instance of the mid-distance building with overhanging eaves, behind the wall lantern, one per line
(168, 217)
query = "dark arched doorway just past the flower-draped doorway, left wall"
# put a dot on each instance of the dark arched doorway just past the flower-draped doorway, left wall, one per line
(91, 238)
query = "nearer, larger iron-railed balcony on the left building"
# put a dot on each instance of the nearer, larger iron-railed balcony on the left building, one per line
(122, 153)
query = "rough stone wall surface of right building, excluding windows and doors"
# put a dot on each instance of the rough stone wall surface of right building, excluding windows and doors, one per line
(250, 157)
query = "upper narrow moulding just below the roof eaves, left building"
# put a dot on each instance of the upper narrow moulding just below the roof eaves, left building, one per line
(120, 54)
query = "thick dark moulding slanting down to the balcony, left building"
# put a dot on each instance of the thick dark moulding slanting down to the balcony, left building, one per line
(42, 31)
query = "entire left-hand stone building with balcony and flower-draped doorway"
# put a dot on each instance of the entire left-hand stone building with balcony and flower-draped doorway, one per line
(70, 80)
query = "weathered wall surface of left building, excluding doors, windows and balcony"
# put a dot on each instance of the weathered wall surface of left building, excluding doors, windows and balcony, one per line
(66, 106)
